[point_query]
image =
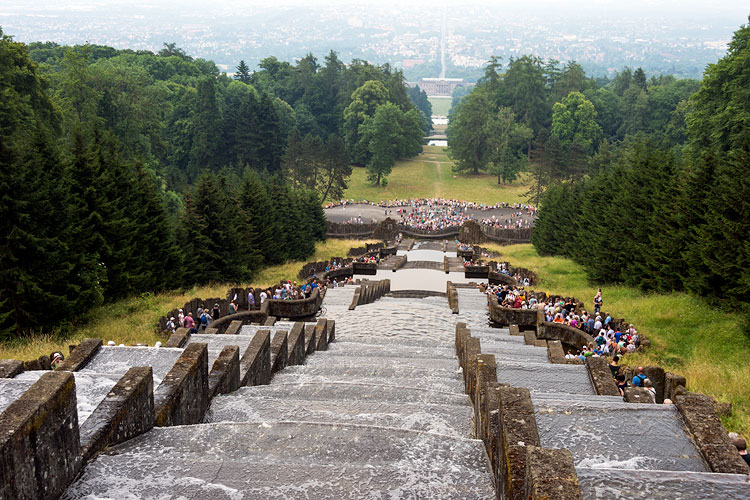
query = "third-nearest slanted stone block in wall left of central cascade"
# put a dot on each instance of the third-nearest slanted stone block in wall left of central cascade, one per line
(182, 397)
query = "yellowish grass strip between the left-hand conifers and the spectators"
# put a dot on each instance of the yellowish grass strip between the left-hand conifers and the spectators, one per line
(133, 320)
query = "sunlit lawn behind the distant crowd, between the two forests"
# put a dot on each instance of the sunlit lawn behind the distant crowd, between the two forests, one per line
(430, 175)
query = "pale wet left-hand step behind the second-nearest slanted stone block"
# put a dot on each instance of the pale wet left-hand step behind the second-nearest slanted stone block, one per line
(118, 360)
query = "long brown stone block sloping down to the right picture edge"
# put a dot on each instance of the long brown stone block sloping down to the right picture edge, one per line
(709, 435)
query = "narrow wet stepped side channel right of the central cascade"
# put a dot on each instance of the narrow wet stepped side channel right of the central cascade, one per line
(620, 450)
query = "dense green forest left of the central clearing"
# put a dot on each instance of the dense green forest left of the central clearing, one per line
(127, 172)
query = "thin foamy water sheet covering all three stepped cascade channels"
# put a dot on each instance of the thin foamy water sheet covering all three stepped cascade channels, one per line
(383, 413)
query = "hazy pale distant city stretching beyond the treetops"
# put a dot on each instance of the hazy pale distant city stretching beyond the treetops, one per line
(407, 37)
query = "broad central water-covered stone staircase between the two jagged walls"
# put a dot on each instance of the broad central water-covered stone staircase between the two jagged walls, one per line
(380, 414)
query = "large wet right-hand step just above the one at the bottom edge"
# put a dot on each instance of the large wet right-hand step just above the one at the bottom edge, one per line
(618, 435)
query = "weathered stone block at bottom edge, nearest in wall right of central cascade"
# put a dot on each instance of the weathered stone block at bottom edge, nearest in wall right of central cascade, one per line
(551, 474)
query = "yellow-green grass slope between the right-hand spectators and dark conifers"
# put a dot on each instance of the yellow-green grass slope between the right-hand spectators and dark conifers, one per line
(688, 337)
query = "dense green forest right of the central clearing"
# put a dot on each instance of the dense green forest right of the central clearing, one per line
(643, 179)
